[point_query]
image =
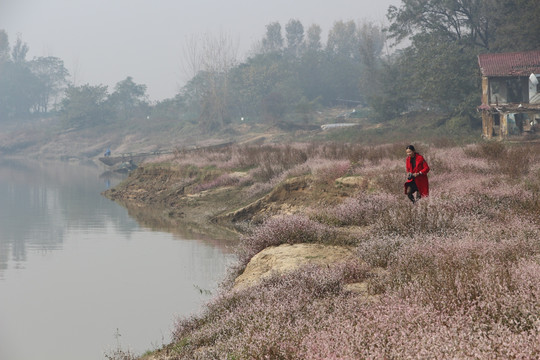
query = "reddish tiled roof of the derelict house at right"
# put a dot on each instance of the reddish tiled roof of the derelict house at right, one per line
(510, 64)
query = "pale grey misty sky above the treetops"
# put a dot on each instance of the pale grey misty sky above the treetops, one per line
(104, 41)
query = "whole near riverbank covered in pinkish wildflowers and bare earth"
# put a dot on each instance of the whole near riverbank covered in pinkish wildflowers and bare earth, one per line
(455, 275)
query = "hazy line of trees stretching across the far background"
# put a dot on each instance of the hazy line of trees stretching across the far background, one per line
(292, 71)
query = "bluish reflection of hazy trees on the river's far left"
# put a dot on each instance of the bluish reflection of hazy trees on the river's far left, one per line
(41, 200)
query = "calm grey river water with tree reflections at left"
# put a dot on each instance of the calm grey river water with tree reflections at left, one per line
(80, 278)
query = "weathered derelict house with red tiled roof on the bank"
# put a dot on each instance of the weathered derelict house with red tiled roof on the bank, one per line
(510, 93)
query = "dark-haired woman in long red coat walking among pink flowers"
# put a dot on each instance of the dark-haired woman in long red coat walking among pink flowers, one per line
(417, 169)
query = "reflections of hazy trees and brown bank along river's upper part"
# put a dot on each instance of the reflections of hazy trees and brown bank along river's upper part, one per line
(41, 201)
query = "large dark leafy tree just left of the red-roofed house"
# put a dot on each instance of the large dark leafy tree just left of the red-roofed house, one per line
(441, 61)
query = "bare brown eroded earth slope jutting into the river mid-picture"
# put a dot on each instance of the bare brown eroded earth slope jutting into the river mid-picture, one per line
(168, 196)
